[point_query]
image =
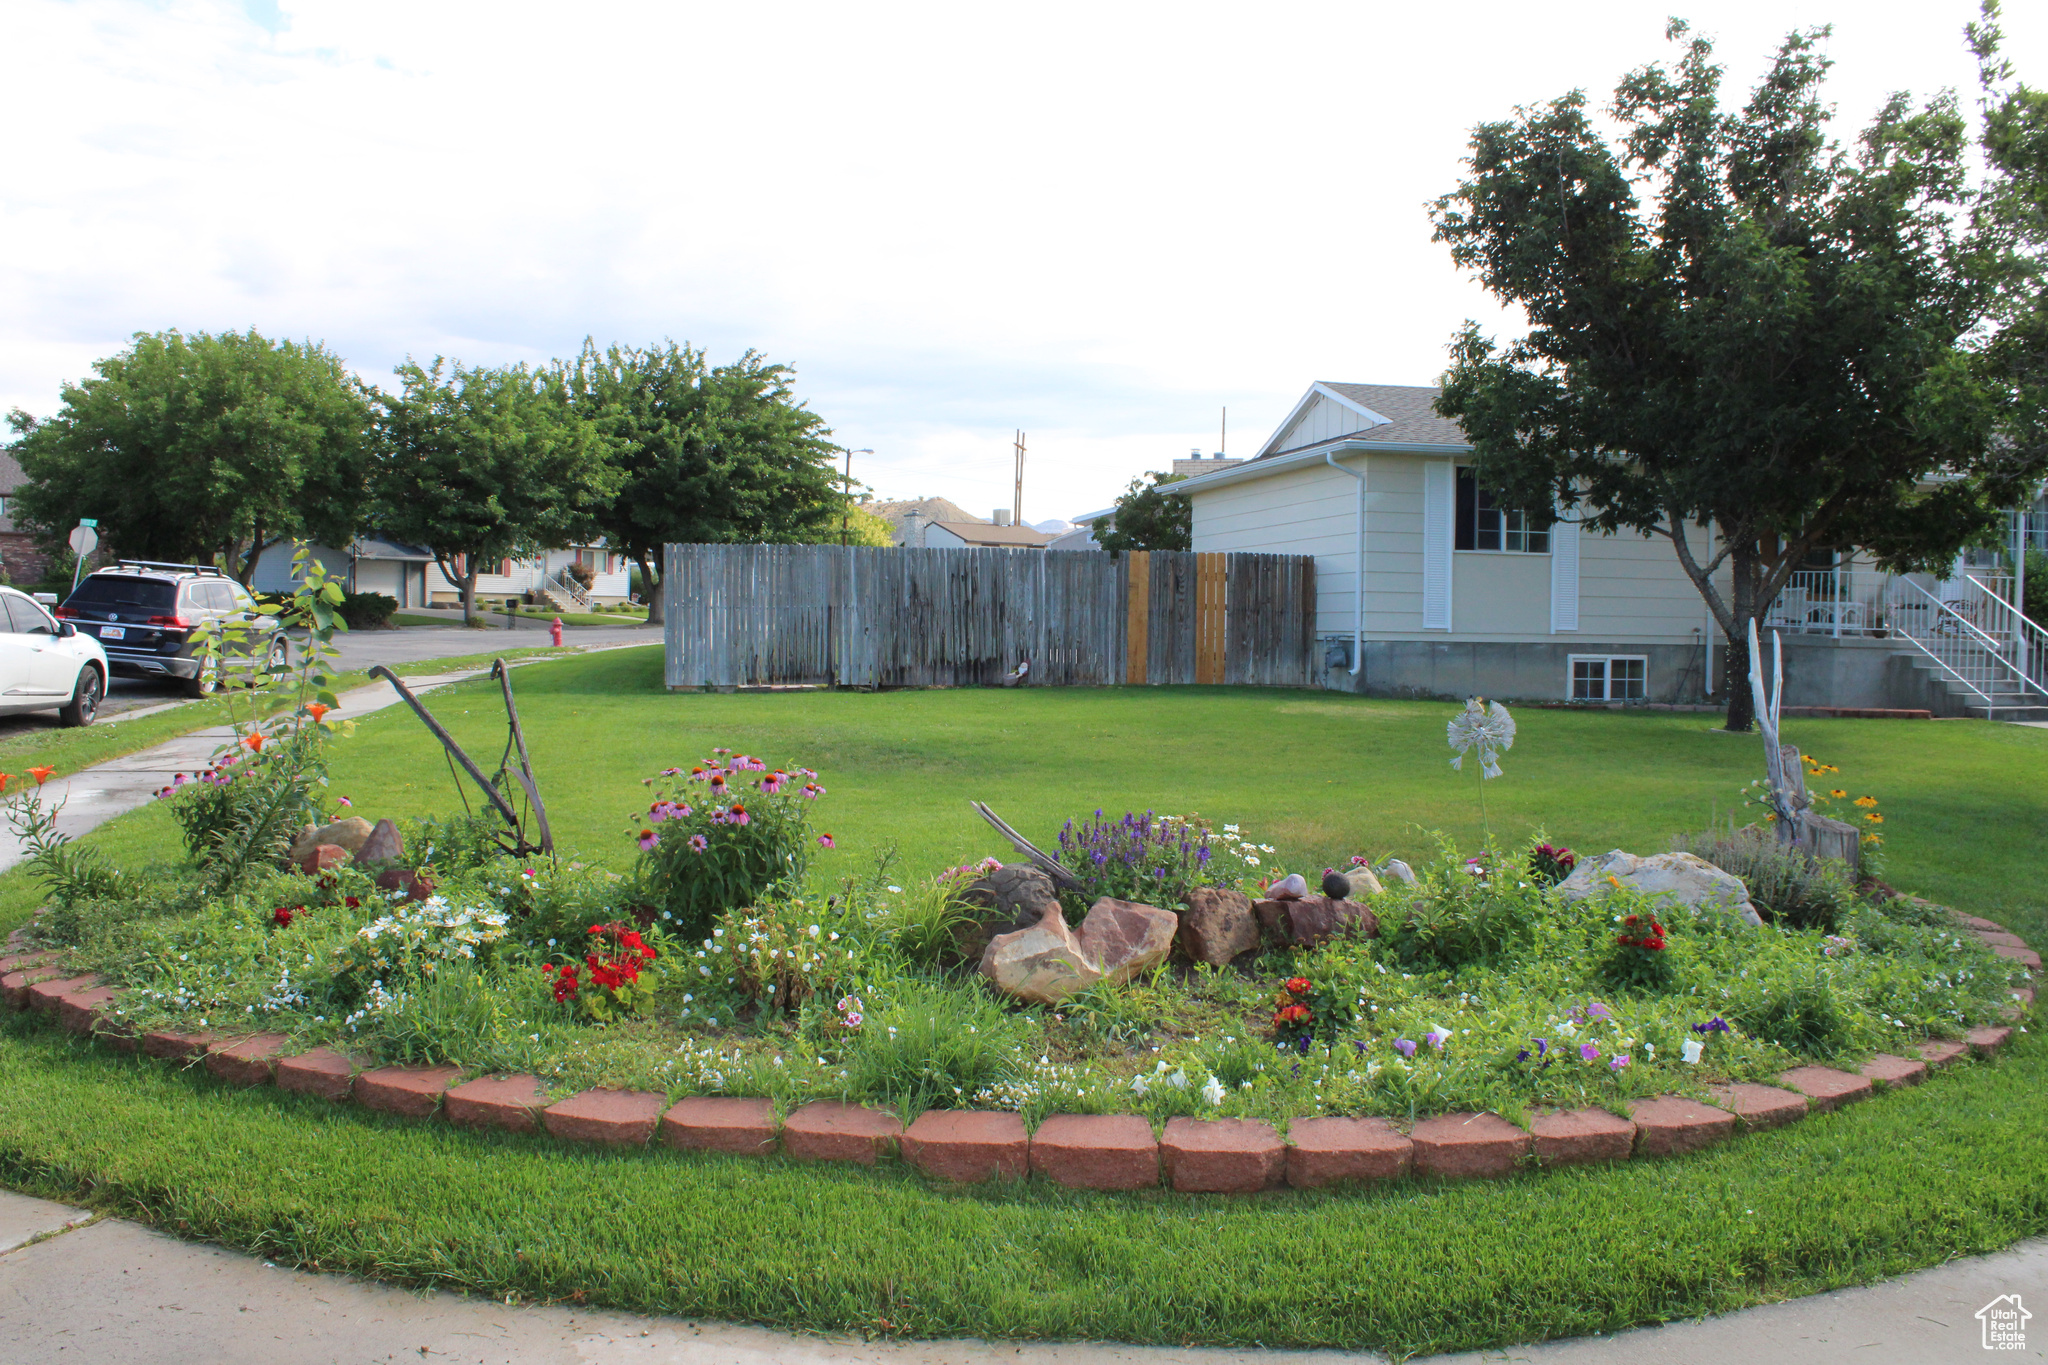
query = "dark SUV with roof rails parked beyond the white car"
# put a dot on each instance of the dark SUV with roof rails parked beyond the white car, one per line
(146, 617)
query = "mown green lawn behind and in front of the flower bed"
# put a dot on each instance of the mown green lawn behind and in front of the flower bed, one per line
(1949, 1170)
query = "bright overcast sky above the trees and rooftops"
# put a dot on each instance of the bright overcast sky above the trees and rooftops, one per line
(1095, 222)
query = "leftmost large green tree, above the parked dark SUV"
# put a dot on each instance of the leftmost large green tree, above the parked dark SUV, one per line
(202, 449)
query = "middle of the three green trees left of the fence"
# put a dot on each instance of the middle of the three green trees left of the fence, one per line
(486, 464)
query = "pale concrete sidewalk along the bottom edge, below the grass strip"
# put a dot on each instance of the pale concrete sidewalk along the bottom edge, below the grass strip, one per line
(120, 1294)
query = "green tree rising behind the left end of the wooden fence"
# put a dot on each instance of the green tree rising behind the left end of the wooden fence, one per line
(708, 453)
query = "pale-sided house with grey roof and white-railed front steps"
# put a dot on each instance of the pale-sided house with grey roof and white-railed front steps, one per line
(1465, 599)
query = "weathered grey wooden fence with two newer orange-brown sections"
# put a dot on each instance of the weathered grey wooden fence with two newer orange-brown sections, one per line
(808, 615)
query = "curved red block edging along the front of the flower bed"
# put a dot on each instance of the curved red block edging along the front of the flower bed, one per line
(1084, 1151)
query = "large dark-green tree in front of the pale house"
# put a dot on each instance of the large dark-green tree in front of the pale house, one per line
(1738, 324)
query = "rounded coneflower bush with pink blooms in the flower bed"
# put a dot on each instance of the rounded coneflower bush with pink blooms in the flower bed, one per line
(718, 838)
